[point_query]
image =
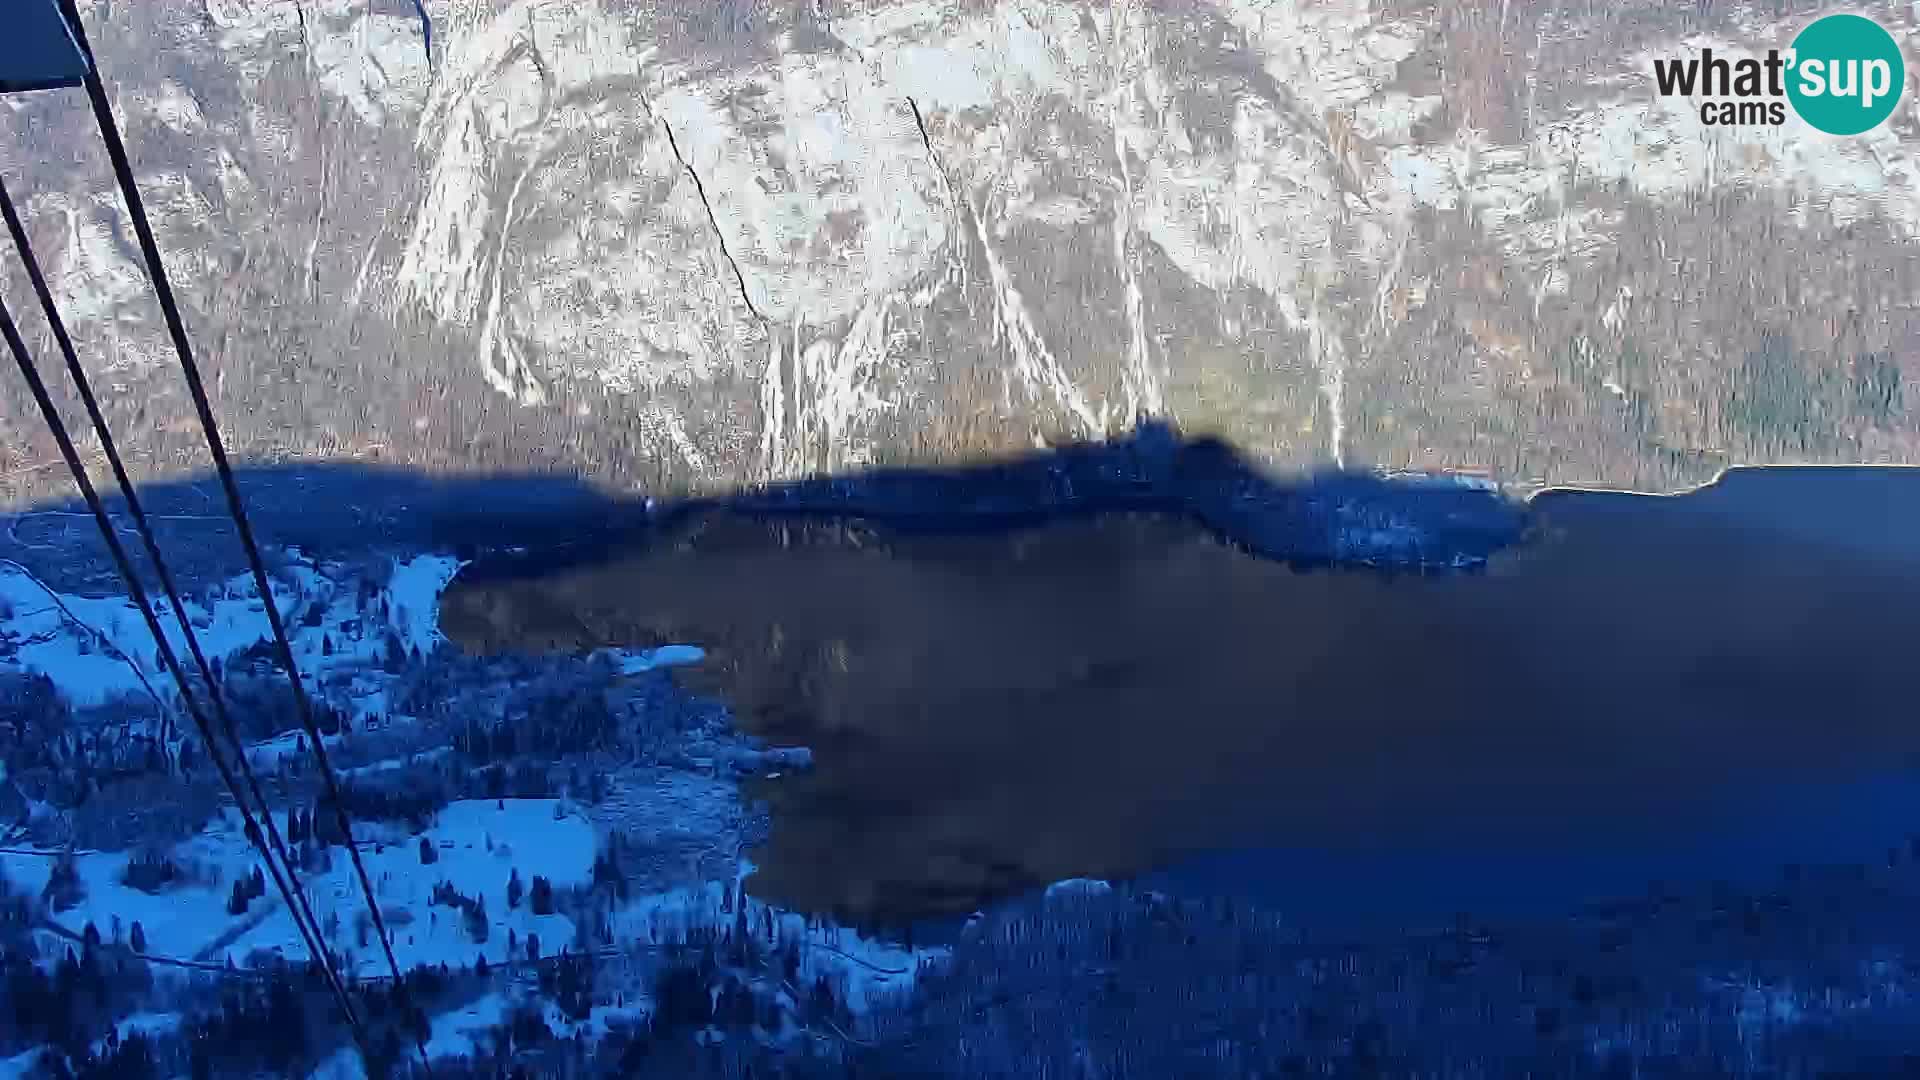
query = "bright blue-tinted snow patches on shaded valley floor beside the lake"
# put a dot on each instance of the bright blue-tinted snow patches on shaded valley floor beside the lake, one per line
(479, 845)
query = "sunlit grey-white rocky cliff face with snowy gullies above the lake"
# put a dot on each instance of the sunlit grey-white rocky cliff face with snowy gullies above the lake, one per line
(696, 245)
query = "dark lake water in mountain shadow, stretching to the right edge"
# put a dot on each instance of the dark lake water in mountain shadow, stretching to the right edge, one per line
(1641, 689)
